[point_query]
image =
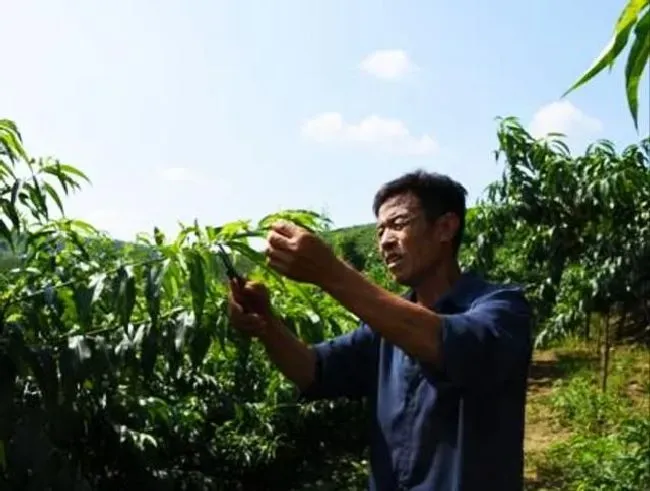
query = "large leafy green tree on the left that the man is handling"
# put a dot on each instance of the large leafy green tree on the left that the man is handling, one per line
(118, 366)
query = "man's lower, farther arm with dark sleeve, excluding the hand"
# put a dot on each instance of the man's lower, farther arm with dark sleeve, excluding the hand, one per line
(341, 367)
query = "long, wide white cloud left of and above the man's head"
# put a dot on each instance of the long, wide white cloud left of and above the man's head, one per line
(384, 134)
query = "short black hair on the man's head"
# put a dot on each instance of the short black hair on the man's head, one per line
(438, 194)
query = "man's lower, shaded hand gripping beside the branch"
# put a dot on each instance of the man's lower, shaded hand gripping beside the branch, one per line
(249, 308)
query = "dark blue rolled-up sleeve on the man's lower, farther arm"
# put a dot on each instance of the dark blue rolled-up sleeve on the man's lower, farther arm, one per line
(346, 366)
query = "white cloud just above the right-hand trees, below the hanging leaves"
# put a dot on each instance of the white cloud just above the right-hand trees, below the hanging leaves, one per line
(563, 117)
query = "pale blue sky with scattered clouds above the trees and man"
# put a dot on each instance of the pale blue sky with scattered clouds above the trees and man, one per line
(224, 110)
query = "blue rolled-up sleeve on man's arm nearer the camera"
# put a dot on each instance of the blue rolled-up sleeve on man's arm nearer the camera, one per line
(491, 341)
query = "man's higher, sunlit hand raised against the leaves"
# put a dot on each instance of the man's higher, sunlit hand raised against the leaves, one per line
(300, 255)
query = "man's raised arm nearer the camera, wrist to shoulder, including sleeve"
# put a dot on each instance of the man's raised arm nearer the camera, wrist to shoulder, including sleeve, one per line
(475, 347)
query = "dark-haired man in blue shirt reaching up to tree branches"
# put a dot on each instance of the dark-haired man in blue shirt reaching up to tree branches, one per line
(444, 367)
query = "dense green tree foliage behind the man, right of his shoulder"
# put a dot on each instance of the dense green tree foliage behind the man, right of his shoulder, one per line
(574, 229)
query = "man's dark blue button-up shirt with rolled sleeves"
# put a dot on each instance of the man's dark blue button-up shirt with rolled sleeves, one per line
(456, 427)
